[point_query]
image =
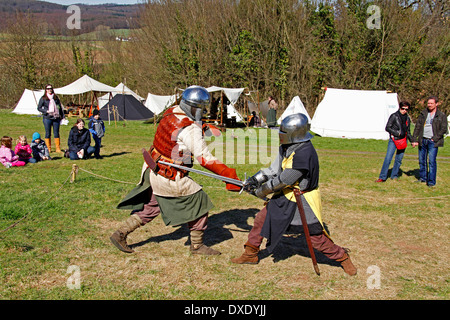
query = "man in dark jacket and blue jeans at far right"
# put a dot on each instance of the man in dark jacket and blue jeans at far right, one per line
(429, 136)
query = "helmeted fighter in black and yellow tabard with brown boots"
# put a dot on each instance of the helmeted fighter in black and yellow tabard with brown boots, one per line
(297, 166)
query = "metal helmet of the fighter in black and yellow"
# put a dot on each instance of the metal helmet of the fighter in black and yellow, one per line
(294, 128)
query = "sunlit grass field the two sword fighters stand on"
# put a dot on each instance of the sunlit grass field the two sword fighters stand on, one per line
(397, 231)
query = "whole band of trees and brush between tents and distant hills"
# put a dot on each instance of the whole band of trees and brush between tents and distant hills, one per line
(282, 48)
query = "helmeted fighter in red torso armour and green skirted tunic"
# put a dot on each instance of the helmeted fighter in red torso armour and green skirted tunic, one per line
(170, 191)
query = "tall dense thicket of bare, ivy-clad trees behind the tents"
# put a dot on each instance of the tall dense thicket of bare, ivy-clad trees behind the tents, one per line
(289, 47)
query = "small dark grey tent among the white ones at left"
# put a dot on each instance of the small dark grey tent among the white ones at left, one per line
(125, 107)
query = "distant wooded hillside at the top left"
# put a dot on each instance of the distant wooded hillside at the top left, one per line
(55, 16)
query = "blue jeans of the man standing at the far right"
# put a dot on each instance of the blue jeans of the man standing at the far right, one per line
(428, 168)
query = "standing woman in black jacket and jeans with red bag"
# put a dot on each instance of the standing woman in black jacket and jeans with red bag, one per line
(398, 127)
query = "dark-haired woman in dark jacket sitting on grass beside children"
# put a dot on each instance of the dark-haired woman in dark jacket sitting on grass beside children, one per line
(79, 141)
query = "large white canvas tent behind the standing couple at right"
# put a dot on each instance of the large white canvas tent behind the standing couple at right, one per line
(354, 114)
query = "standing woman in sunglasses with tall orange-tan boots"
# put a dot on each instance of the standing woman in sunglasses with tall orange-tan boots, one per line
(50, 107)
